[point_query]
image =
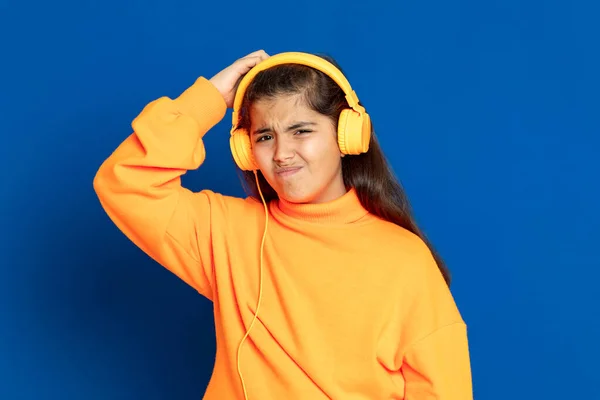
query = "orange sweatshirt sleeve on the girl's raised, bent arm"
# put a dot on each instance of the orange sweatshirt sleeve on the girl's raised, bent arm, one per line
(139, 184)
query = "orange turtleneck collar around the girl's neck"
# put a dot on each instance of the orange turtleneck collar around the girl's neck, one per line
(343, 210)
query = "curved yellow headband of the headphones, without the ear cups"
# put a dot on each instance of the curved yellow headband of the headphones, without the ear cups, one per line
(307, 59)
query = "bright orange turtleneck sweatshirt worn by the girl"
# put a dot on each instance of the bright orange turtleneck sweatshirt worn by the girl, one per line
(353, 307)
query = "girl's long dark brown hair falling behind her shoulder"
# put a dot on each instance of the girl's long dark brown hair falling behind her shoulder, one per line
(378, 190)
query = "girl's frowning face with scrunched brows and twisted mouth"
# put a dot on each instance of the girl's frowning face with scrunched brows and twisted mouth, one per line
(296, 150)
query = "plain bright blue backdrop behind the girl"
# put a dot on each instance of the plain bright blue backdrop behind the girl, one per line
(487, 110)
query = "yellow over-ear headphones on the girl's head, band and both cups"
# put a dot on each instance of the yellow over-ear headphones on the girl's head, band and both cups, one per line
(354, 124)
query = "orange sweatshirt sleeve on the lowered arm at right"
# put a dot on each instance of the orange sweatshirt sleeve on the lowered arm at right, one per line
(434, 356)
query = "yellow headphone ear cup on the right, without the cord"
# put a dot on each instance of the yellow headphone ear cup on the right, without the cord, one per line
(354, 132)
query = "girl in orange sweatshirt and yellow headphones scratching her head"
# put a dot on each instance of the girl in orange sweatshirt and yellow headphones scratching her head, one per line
(323, 286)
